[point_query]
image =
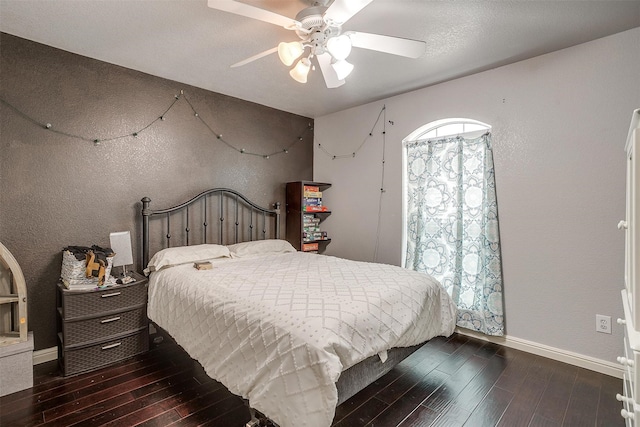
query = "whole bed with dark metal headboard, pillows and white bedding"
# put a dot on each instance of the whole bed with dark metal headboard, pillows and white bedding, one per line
(294, 333)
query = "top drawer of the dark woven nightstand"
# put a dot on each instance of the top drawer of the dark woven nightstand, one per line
(116, 298)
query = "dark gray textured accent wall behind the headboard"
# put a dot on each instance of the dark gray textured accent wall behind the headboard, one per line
(57, 191)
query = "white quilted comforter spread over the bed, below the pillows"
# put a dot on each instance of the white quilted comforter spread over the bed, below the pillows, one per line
(279, 329)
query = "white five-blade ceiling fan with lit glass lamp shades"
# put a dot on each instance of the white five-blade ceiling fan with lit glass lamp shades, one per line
(321, 37)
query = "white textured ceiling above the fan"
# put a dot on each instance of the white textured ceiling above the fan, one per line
(186, 41)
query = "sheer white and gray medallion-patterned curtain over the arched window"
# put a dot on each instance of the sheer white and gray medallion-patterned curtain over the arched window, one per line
(452, 233)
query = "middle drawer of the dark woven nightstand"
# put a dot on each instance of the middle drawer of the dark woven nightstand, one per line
(98, 328)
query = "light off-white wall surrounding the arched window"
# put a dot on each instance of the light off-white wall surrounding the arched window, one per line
(559, 125)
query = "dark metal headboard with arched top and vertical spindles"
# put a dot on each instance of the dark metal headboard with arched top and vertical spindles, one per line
(247, 218)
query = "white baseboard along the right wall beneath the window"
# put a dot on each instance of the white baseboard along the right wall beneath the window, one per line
(587, 362)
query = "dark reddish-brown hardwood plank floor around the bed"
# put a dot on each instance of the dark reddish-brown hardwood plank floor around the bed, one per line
(458, 381)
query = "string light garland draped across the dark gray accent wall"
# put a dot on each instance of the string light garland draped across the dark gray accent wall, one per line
(162, 117)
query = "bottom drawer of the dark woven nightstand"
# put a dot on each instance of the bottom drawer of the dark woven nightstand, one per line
(81, 359)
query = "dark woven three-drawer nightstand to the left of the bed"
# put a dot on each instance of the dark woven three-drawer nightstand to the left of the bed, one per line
(102, 326)
